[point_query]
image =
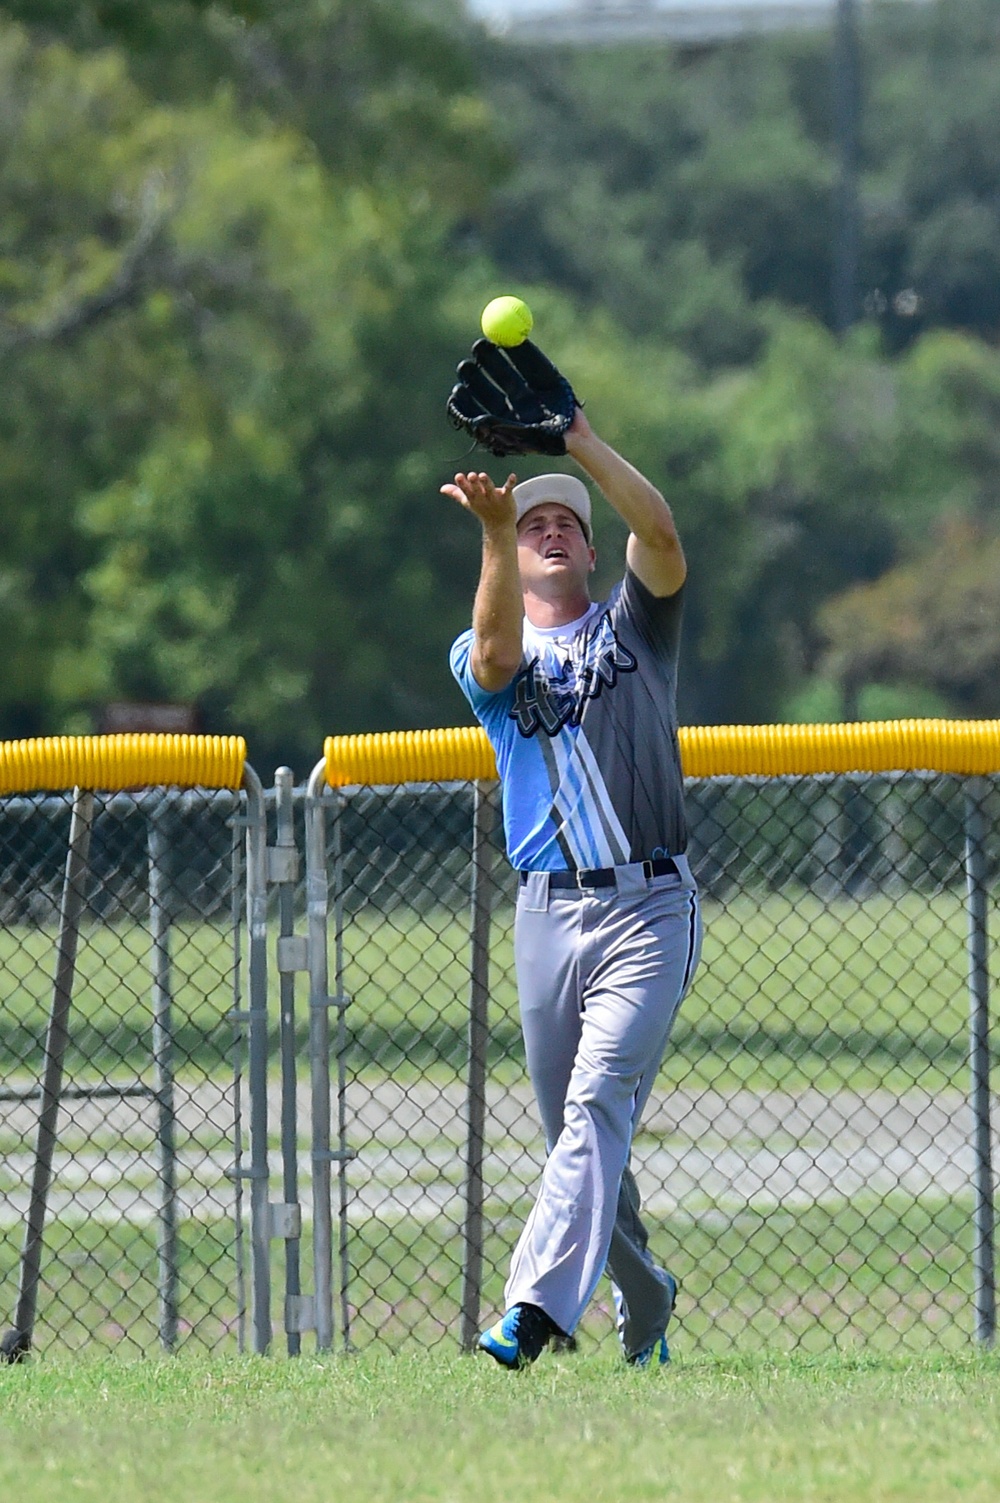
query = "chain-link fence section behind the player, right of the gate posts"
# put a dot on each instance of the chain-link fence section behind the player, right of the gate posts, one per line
(816, 1164)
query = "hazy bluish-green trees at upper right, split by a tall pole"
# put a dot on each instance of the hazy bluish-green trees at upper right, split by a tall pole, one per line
(649, 174)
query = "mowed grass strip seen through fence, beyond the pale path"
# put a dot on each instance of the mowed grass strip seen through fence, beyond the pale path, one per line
(793, 993)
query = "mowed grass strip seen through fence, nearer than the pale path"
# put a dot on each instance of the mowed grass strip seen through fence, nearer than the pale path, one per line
(864, 1277)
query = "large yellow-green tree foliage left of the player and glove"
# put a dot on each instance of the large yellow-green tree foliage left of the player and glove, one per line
(222, 361)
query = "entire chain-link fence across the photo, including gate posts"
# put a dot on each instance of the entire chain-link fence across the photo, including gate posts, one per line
(816, 1161)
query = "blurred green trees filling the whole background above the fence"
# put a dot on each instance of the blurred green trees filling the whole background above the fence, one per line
(243, 247)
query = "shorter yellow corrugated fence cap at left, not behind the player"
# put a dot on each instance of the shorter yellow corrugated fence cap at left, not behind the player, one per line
(53, 764)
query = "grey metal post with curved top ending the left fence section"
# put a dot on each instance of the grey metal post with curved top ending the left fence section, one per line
(258, 1059)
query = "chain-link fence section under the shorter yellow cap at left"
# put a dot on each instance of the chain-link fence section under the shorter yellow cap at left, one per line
(123, 1045)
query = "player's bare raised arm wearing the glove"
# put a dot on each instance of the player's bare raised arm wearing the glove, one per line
(655, 551)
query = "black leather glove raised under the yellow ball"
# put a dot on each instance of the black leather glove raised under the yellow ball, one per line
(514, 401)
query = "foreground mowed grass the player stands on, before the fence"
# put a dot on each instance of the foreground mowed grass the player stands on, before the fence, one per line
(456, 1429)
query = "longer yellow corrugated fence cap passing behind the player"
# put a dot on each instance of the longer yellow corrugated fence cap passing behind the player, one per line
(867, 746)
